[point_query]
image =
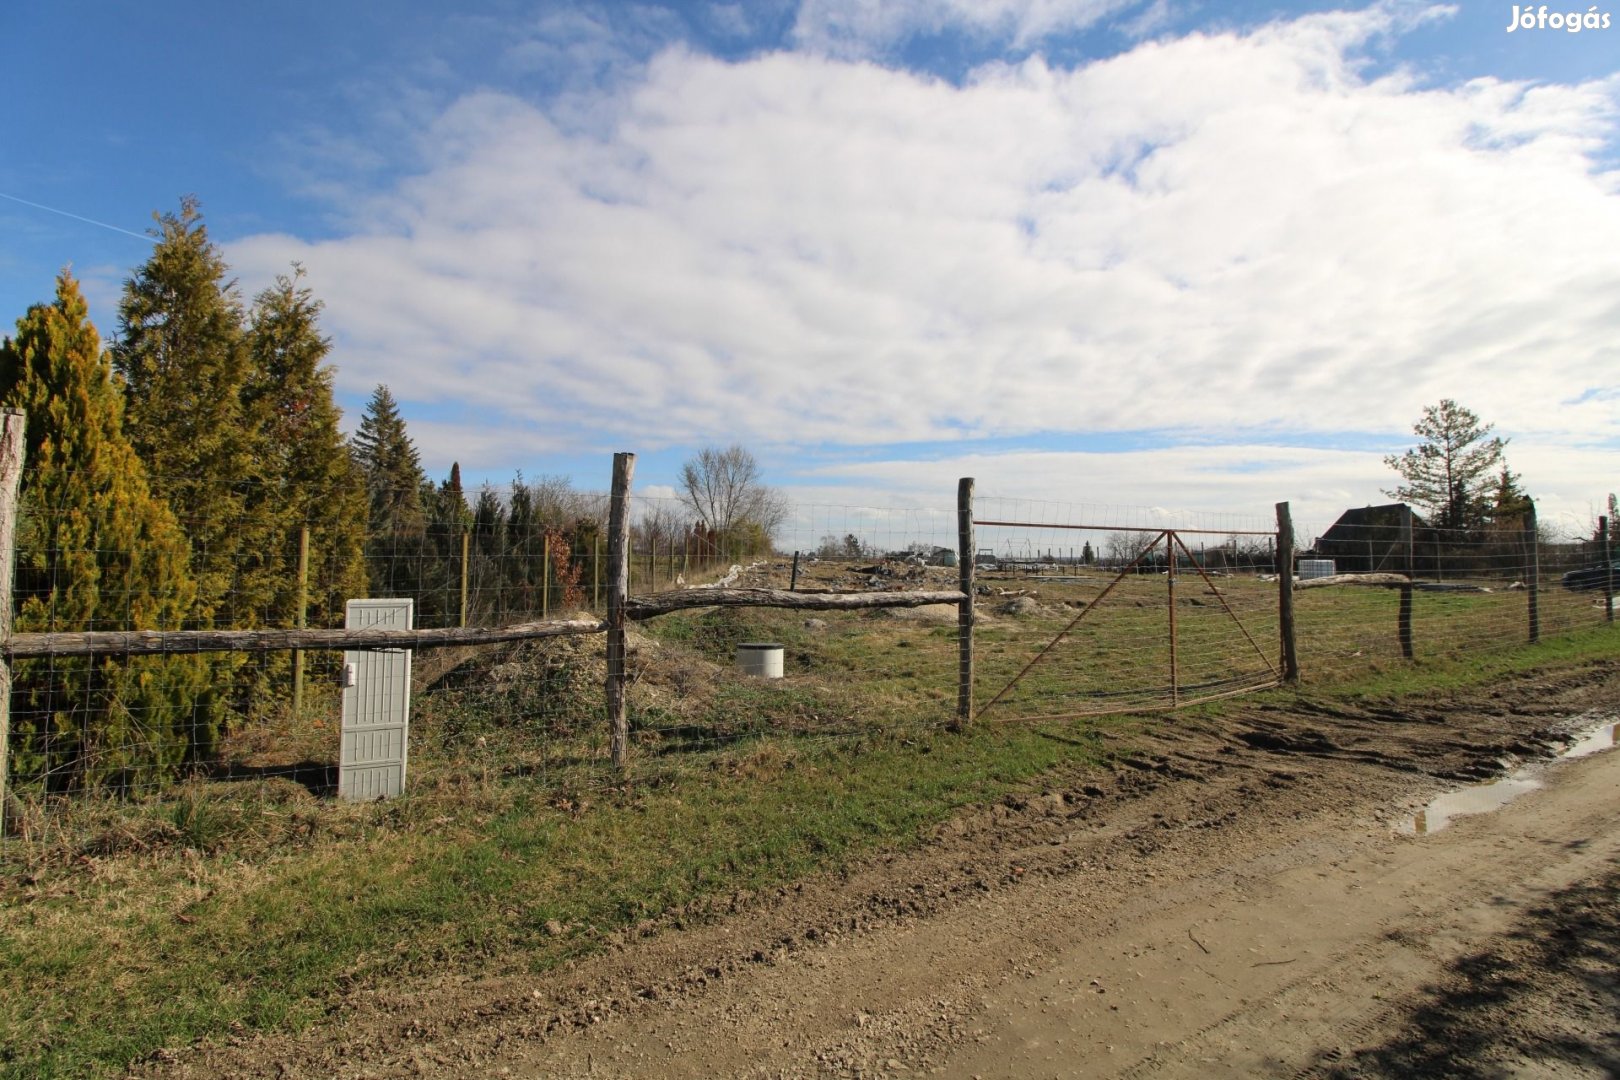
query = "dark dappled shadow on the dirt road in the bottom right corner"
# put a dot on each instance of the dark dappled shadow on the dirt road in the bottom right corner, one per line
(1548, 1000)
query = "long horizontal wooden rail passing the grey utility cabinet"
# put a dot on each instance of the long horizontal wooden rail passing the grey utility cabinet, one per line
(181, 642)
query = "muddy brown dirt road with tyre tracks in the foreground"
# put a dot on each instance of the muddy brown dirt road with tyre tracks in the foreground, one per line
(1245, 898)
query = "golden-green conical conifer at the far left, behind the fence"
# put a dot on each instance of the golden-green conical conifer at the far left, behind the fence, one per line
(96, 551)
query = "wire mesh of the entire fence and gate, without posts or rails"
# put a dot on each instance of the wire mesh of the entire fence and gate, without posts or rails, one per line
(1078, 613)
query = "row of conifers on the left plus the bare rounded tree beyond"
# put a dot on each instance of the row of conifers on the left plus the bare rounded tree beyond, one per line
(171, 477)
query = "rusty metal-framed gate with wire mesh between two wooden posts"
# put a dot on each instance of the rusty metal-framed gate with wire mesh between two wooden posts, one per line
(1111, 610)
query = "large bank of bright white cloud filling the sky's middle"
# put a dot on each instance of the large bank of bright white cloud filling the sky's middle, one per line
(1213, 234)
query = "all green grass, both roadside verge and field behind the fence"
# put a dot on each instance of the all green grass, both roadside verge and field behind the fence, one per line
(254, 906)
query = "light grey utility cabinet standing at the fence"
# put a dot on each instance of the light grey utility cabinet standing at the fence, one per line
(377, 707)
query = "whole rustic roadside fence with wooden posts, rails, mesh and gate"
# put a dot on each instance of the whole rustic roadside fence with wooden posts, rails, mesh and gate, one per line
(587, 632)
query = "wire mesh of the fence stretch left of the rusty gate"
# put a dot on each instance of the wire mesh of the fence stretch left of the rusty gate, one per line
(255, 736)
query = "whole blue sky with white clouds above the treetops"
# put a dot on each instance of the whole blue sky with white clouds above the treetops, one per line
(1104, 252)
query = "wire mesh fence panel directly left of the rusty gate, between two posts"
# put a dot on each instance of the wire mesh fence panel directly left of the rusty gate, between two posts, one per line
(845, 673)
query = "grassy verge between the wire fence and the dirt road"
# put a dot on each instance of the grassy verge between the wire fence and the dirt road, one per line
(109, 959)
